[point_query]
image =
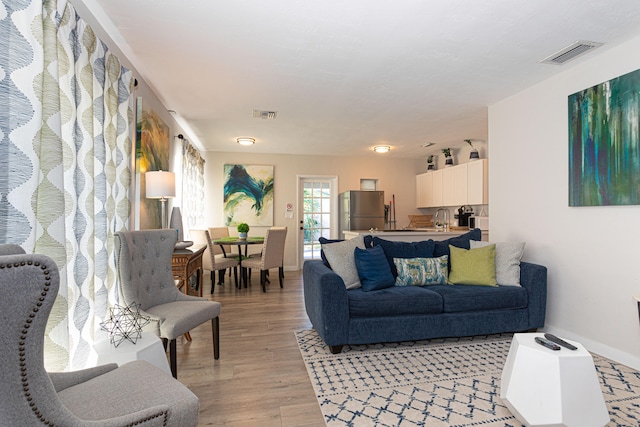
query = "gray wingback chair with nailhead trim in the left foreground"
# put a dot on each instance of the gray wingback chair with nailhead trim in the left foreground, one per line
(135, 394)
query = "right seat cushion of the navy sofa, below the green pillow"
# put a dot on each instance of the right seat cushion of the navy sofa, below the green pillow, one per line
(464, 298)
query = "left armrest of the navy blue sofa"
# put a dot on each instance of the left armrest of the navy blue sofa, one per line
(326, 302)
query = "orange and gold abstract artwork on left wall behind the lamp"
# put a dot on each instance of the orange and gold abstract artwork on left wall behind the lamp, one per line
(152, 154)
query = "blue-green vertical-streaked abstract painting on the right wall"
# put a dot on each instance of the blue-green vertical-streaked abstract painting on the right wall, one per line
(604, 143)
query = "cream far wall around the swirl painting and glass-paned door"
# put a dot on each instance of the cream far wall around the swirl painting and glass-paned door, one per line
(395, 176)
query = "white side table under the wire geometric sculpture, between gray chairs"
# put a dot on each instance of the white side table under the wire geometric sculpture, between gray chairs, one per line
(149, 347)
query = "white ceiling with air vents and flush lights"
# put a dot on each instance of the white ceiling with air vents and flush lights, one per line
(343, 75)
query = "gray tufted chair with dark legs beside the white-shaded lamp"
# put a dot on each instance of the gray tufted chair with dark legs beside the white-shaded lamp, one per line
(143, 260)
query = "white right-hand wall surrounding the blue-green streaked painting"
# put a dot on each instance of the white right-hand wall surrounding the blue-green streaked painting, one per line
(591, 252)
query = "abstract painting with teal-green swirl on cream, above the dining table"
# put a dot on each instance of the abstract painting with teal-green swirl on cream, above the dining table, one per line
(248, 195)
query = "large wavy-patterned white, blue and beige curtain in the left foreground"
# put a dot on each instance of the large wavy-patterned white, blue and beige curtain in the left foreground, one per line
(65, 161)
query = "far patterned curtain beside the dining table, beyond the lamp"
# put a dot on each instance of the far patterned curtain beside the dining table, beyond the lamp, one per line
(192, 186)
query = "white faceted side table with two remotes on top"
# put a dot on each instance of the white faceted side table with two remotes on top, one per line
(543, 387)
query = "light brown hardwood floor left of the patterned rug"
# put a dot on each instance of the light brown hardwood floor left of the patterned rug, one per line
(260, 378)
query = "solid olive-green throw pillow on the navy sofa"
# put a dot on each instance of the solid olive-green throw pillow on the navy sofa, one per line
(473, 266)
